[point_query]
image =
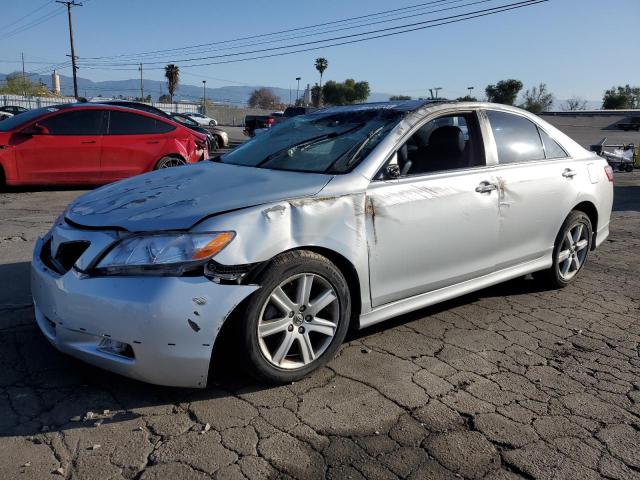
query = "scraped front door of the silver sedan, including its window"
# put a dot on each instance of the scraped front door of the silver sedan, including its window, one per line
(437, 224)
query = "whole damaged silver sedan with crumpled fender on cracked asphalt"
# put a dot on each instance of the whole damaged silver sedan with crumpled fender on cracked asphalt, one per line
(334, 220)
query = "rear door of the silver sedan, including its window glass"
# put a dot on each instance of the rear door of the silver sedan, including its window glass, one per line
(538, 185)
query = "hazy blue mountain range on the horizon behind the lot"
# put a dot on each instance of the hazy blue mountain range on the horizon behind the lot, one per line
(238, 95)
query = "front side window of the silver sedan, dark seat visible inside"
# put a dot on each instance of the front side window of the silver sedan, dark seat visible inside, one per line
(451, 142)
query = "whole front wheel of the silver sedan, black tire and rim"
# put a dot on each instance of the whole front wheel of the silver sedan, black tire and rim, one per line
(274, 340)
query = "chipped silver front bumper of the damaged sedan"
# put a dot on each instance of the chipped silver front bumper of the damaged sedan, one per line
(154, 315)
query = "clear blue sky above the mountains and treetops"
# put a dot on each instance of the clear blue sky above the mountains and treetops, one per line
(577, 47)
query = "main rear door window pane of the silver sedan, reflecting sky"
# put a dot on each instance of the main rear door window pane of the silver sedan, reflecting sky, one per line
(517, 138)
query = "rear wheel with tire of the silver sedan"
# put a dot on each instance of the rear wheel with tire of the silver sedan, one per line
(563, 272)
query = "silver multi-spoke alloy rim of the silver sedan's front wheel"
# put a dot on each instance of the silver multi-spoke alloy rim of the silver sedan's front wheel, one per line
(298, 321)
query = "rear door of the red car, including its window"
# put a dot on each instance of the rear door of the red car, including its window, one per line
(134, 143)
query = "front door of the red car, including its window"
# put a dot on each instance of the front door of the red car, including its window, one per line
(68, 153)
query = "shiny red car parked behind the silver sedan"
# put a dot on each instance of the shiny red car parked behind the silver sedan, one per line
(91, 144)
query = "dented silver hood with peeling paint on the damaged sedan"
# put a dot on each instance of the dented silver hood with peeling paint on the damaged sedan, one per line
(177, 198)
